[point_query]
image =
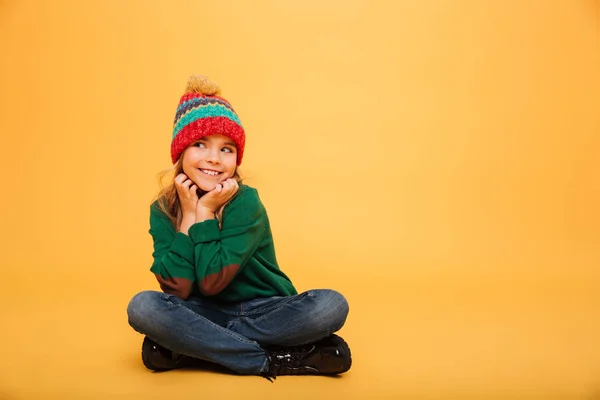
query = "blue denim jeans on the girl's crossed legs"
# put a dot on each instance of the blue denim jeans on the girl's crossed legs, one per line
(232, 334)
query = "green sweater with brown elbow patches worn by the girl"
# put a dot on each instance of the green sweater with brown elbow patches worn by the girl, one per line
(234, 263)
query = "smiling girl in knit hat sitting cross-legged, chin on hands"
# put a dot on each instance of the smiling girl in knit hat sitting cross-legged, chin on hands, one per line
(224, 299)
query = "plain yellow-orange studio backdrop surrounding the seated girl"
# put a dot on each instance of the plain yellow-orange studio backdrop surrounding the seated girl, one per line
(435, 161)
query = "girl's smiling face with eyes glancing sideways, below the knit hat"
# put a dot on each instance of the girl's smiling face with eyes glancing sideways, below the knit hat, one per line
(209, 161)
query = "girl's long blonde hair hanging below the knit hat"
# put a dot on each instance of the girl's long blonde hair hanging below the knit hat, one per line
(167, 198)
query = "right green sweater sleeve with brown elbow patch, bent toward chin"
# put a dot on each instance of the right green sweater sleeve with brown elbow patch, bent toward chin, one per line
(220, 254)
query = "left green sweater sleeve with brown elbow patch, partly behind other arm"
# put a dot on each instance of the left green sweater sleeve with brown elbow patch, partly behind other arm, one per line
(173, 254)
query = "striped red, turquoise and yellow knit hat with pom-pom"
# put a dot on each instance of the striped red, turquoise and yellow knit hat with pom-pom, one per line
(202, 113)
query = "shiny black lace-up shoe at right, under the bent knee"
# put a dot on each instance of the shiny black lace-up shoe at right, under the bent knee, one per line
(329, 356)
